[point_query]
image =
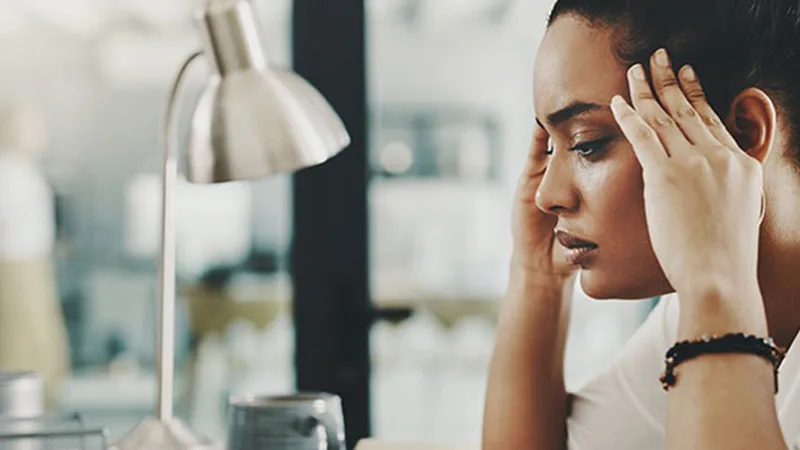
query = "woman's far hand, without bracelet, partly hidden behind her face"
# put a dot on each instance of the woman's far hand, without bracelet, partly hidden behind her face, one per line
(535, 250)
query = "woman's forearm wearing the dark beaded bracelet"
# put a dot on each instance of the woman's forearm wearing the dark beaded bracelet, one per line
(723, 401)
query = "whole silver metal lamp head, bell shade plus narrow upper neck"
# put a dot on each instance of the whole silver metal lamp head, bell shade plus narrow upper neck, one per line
(253, 119)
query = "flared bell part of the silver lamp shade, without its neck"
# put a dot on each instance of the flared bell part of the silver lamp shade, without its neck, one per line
(250, 124)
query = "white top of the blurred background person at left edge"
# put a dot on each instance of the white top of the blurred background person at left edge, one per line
(27, 225)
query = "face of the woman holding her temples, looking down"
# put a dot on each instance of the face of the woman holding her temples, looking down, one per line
(593, 182)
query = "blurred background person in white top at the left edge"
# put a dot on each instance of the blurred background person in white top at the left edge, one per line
(33, 334)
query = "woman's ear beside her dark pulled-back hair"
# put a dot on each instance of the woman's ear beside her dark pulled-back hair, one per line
(753, 121)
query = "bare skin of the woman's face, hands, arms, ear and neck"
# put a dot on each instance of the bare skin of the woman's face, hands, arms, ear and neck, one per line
(674, 176)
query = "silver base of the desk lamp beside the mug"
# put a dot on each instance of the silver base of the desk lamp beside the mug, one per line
(152, 433)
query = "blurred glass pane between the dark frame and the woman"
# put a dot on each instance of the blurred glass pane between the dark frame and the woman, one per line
(451, 107)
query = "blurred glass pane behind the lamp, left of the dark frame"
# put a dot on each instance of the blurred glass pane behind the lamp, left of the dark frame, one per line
(99, 72)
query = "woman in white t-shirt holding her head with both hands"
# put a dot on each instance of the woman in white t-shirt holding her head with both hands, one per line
(663, 195)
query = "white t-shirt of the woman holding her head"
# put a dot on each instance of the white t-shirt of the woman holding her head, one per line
(625, 408)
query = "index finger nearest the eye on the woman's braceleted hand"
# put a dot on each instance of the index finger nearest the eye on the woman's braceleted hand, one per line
(644, 140)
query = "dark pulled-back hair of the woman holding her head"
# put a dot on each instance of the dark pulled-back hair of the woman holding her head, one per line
(733, 44)
